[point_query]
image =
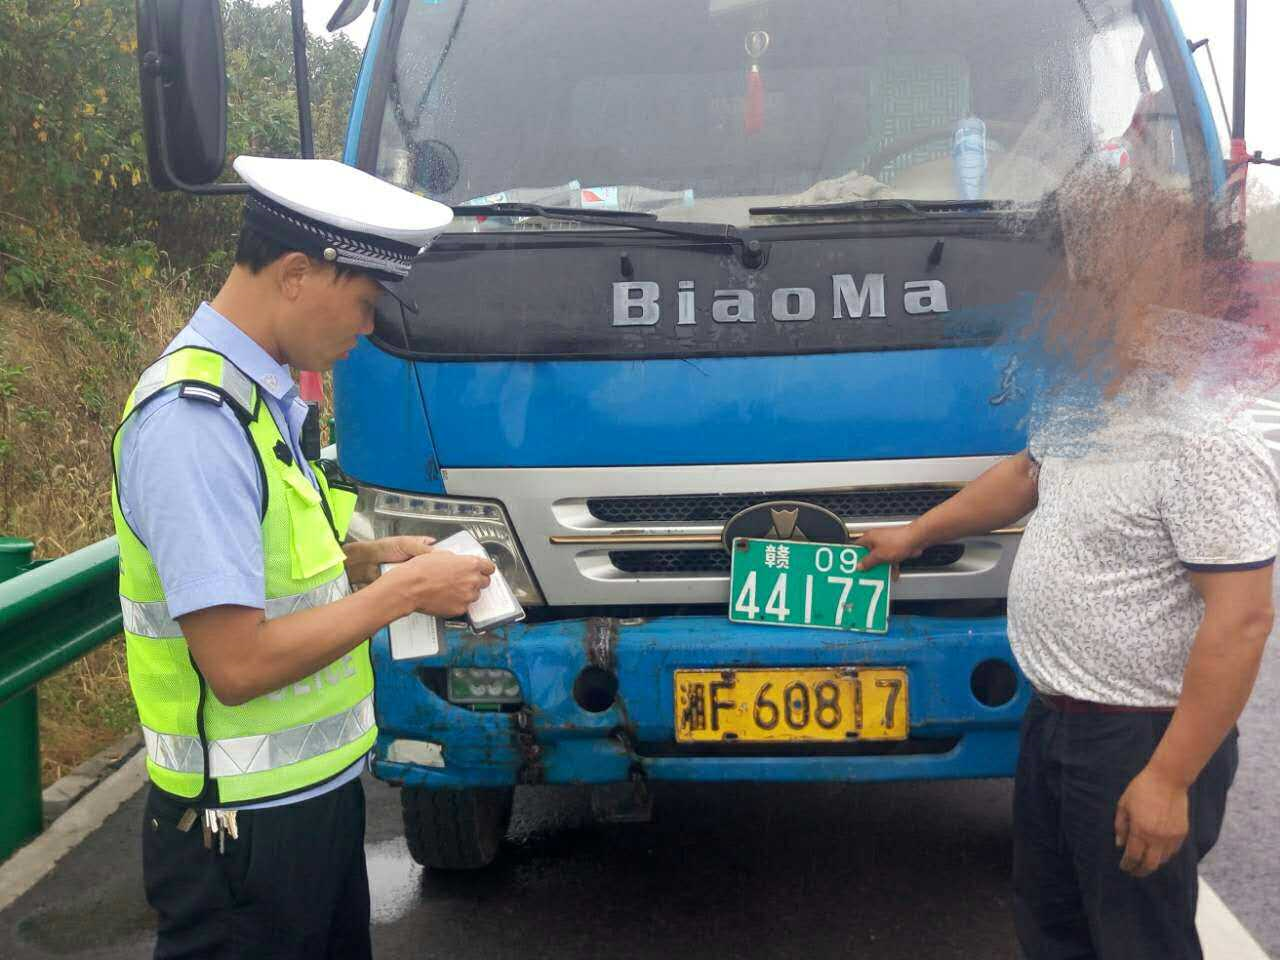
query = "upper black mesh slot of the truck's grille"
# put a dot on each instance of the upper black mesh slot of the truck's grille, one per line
(716, 509)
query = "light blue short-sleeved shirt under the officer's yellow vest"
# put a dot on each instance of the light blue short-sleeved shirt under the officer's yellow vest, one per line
(190, 487)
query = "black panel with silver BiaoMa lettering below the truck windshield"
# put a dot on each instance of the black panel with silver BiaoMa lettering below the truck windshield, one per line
(541, 296)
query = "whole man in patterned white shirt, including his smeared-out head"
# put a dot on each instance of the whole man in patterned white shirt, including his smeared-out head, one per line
(1140, 604)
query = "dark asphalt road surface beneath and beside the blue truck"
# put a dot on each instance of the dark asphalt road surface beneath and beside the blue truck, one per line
(877, 871)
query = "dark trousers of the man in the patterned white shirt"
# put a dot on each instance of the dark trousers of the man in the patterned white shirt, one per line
(1072, 902)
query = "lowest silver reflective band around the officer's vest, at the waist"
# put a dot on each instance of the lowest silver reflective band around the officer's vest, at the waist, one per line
(254, 755)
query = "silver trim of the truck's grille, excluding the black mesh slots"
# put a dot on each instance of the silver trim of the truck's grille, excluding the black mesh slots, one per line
(569, 548)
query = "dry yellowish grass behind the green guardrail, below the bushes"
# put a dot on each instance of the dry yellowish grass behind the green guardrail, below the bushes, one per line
(67, 385)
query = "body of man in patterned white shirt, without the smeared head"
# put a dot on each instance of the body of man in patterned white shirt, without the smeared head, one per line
(1139, 609)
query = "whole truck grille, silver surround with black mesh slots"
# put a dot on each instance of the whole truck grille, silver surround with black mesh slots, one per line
(642, 537)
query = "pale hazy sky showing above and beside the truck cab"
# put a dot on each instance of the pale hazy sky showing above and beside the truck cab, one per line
(1201, 19)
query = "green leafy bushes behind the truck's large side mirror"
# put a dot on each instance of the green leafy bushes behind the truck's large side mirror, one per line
(81, 230)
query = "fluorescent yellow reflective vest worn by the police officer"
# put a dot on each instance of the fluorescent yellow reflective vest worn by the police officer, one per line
(291, 739)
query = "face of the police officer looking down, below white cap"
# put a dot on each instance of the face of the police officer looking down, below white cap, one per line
(327, 316)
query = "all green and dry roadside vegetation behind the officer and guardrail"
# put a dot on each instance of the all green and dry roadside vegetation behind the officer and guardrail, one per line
(98, 272)
